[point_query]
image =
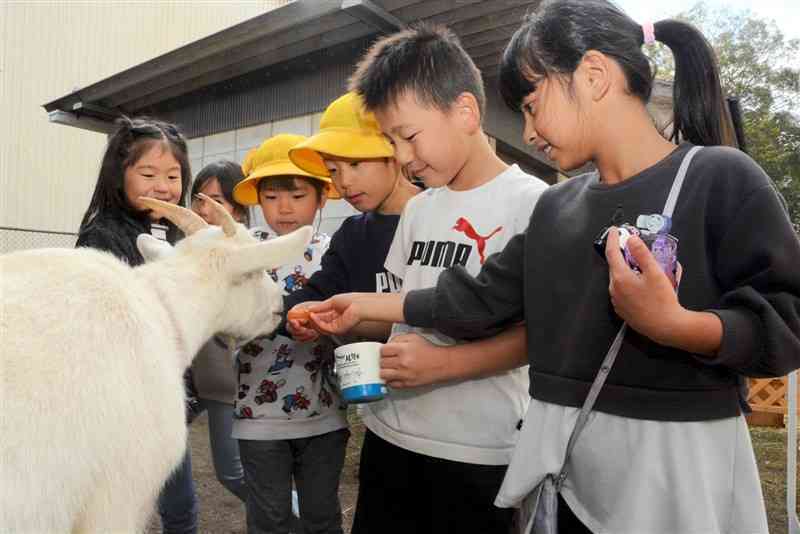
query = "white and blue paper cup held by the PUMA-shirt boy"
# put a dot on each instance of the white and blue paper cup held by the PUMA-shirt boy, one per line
(358, 366)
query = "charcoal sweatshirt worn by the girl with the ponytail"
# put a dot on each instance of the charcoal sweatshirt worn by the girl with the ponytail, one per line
(740, 258)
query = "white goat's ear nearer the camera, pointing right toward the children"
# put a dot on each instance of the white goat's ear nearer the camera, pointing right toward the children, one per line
(271, 254)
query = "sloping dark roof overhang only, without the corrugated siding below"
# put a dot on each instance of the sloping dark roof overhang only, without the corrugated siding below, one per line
(286, 33)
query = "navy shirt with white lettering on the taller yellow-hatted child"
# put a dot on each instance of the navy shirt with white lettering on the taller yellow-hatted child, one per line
(354, 260)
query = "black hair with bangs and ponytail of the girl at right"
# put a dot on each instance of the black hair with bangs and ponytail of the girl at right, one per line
(553, 40)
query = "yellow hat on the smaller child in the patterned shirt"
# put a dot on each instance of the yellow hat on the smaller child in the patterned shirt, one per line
(272, 159)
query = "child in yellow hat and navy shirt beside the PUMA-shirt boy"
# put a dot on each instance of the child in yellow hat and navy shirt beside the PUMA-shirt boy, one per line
(351, 149)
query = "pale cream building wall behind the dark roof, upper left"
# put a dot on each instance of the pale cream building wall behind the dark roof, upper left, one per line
(48, 49)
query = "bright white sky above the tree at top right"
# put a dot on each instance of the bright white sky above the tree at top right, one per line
(785, 12)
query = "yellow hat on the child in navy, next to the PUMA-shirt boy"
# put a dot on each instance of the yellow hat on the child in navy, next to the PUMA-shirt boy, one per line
(345, 130)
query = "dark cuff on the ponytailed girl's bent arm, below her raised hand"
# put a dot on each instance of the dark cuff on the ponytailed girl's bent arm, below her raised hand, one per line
(740, 339)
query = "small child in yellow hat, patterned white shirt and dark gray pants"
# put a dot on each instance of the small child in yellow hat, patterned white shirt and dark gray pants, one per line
(288, 417)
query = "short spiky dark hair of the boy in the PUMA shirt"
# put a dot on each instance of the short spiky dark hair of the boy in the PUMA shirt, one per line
(427, 60)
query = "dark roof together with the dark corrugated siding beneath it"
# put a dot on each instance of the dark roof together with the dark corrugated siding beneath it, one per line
(293, 60)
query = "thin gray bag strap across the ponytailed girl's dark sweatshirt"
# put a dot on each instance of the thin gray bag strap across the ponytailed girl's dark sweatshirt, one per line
(611, 355)
